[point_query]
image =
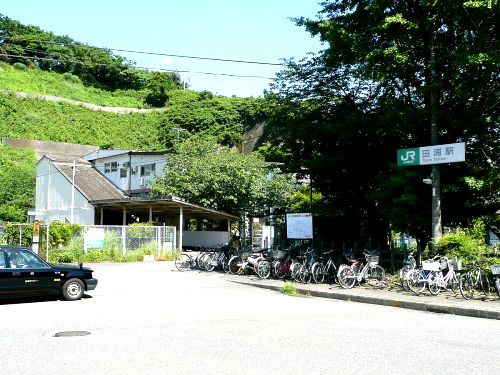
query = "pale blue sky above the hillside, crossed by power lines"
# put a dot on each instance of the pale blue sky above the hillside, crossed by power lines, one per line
(248, 30)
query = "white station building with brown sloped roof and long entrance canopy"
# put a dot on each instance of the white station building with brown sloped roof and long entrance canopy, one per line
(110, 187)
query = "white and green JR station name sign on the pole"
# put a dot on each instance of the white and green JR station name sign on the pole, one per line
(438, 154)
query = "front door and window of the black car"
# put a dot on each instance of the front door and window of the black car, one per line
(29, 275)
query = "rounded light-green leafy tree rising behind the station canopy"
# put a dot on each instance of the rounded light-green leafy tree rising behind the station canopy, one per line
(211, 175)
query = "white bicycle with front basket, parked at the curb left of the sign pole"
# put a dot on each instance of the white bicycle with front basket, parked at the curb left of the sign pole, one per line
(371, 272)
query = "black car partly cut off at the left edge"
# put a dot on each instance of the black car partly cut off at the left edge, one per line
(24, 273)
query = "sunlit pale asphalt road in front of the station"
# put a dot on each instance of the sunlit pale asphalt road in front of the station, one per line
(147, 318)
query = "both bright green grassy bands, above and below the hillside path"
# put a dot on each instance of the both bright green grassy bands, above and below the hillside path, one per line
(62, 122)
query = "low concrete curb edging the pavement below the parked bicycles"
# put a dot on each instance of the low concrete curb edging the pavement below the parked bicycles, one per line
(435, 307)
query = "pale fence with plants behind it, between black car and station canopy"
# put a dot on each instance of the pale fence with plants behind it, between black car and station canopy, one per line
(118, 239)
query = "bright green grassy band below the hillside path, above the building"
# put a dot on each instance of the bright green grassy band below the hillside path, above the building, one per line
(62, 122)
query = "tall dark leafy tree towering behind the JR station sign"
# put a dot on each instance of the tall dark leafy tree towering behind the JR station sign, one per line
(393, 73)
